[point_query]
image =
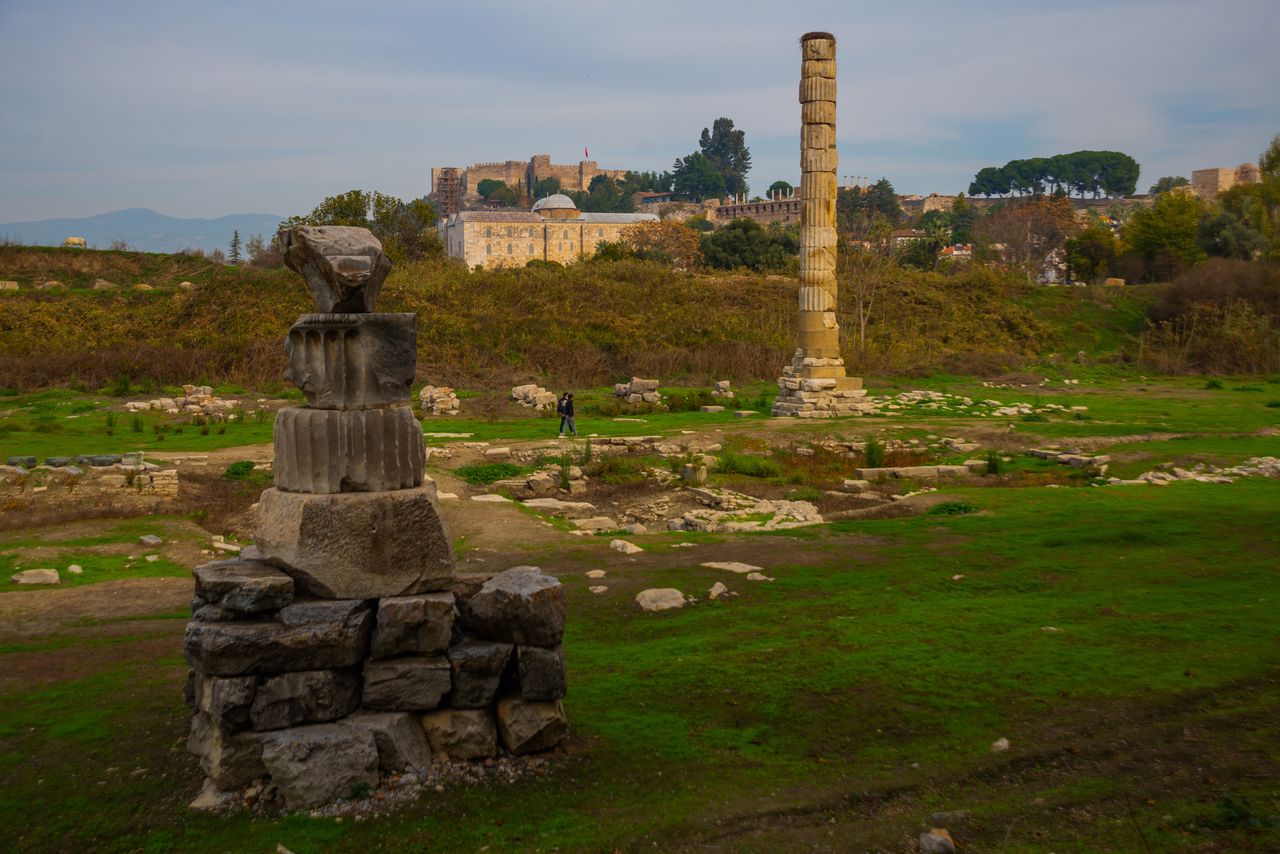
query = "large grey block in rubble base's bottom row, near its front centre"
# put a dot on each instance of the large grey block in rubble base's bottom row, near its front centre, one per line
(314, 765)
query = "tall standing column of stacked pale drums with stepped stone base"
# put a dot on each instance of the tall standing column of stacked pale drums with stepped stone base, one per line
(815, 385)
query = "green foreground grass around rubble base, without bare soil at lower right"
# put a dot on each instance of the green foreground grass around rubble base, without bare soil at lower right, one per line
(849, 668)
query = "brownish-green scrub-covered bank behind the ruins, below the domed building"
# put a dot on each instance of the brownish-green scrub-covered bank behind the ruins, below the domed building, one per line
(587, 325)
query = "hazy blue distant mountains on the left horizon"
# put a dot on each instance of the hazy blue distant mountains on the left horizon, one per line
(143, 230)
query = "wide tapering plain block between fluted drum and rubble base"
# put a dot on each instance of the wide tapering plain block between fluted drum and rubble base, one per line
(358, 545)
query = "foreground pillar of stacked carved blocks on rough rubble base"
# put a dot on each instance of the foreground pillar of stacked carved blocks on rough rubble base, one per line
(341, 651)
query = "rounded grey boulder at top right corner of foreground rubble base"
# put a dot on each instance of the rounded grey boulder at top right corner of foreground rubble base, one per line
(518, 606)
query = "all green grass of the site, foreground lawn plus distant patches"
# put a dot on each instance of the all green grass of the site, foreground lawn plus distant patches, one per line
(1126, 641)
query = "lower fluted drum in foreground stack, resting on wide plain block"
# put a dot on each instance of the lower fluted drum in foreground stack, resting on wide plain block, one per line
(333, 451)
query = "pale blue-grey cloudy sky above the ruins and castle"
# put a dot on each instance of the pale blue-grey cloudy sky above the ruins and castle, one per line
(205, 109)
